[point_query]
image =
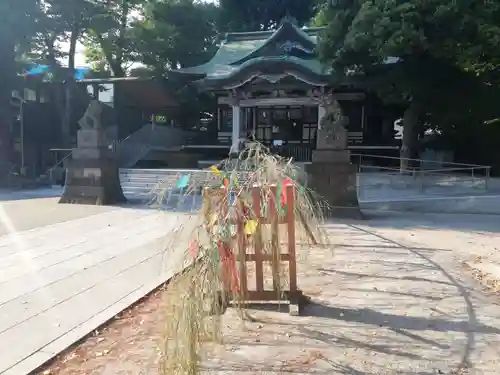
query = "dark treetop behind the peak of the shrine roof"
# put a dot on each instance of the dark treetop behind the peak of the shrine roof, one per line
(253, 15)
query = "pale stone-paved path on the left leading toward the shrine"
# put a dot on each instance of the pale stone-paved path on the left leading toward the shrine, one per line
(66, 269)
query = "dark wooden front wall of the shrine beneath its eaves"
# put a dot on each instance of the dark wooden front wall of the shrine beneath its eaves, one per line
(289, 124)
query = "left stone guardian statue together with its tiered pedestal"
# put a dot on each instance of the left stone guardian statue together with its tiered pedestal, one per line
(92, 176)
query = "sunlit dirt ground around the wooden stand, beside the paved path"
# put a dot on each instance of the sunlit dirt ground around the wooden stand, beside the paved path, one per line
(384, 301)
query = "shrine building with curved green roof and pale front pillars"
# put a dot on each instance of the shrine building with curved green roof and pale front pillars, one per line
(270, 86)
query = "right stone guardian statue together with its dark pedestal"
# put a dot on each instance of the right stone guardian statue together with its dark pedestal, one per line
(331, 173)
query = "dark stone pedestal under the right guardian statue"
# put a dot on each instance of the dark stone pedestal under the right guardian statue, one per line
(333, 177)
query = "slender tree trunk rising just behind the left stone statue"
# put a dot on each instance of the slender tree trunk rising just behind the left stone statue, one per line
(68, 89)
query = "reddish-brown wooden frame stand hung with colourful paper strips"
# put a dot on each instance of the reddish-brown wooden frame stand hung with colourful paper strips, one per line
(251, 213)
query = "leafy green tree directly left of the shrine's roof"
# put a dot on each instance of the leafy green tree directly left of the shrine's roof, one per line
(176, 33)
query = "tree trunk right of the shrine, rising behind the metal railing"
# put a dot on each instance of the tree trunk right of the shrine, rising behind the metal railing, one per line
(410, 134)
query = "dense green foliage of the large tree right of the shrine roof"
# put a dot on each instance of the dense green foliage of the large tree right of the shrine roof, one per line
(429, 37)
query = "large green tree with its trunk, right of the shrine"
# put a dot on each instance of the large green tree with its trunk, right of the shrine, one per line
(428, 42)
